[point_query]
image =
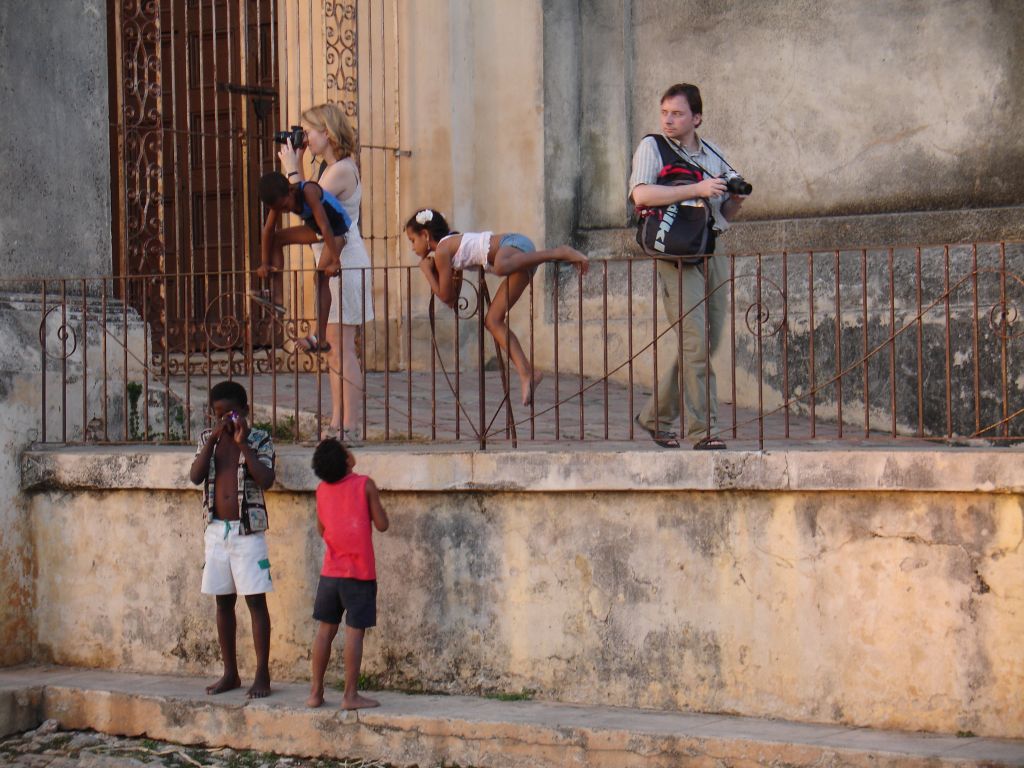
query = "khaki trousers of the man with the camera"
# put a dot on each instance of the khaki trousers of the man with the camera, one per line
(700, 388)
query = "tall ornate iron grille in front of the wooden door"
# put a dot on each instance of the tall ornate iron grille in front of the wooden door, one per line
(199, 90)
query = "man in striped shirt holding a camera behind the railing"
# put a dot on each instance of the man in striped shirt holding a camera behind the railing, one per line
(696, 293)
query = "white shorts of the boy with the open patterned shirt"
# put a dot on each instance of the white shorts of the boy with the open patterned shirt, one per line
(236, 565)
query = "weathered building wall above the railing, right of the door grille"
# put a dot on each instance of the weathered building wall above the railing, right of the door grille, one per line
(524, 116)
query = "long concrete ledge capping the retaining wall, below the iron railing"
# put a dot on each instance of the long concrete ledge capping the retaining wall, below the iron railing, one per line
(444, 470)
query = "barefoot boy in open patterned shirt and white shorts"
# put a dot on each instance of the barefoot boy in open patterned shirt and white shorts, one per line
(236, 465)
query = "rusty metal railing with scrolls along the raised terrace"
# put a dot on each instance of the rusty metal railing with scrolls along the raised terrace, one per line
(870, 346)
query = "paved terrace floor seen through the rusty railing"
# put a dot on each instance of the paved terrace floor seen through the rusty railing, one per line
(421, 407)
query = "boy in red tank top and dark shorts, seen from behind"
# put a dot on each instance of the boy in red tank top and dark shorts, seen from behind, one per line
(347, 505)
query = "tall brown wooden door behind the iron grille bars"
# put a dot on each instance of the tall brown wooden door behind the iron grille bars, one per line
(220, 110)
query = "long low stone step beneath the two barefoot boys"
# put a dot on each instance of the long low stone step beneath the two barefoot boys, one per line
(430, 731)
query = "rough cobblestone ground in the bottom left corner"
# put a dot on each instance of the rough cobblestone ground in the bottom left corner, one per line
(48, 747)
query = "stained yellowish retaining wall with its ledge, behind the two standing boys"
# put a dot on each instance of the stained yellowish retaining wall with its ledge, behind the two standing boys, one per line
(871, 588)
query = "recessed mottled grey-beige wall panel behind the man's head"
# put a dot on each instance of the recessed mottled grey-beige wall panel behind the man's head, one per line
(850, 108)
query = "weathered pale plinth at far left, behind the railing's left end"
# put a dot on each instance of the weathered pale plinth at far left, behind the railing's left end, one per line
(69, 345)
